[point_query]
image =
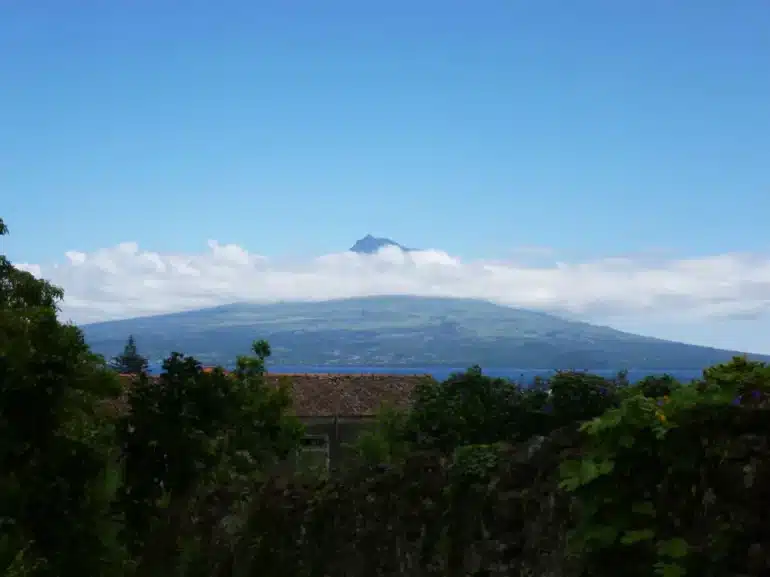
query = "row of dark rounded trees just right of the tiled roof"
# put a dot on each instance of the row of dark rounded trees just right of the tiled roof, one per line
(470, 408)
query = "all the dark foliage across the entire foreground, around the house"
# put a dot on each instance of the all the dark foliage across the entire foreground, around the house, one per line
(182, 474)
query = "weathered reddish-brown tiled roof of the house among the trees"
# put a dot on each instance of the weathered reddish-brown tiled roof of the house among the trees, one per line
(343, 395)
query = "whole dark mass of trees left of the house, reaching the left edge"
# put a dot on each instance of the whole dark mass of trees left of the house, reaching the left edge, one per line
(100, 476)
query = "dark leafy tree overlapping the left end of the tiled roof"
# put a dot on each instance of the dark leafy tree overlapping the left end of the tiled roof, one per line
(190, 432)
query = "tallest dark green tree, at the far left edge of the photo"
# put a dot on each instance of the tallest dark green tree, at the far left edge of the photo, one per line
(55, 447)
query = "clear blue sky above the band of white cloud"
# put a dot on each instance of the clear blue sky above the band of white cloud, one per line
(594, 128)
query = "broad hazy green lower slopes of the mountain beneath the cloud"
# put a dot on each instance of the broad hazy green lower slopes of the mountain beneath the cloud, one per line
(407, 331)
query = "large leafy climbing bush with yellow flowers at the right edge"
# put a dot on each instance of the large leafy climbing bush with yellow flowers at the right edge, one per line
(673, 484)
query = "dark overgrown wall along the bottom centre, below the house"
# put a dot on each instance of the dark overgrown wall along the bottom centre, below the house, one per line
(484, 507)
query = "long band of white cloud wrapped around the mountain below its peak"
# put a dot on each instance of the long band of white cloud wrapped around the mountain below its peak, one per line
(628, 292)
